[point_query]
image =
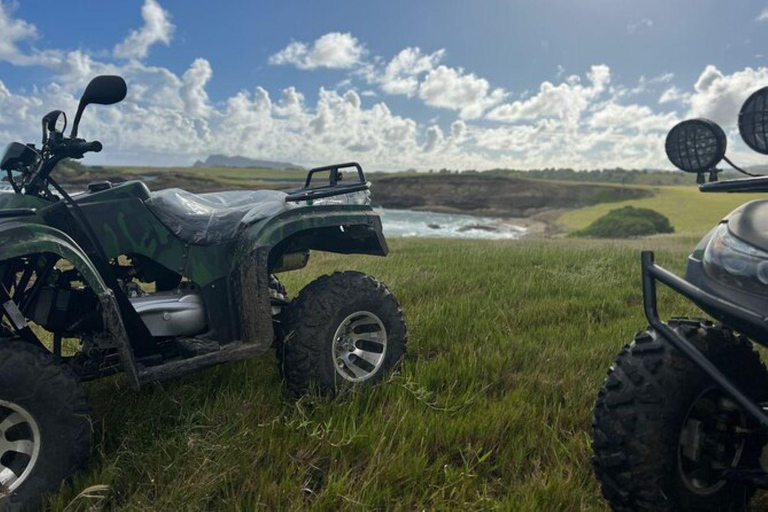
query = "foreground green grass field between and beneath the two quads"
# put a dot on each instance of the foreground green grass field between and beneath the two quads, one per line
(509, 342)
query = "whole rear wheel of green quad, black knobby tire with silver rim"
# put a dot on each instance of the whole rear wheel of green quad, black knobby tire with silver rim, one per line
(343, 329)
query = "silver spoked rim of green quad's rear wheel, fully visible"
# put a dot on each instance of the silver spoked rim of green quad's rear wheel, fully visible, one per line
(359, 346)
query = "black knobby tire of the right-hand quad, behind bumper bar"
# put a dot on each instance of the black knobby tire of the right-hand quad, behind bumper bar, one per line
(641, 409)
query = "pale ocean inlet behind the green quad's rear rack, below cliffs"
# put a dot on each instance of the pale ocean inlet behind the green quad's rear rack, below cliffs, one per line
(412, 223)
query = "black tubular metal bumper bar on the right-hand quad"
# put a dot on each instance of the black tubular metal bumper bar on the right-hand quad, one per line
(748, 321)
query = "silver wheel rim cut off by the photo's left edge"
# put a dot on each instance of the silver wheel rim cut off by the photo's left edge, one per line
(19, 445)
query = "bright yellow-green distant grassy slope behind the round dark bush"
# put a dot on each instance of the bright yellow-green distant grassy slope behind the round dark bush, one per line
(690, 211)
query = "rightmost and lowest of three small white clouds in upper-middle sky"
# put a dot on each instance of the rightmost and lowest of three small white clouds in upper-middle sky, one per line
(452, 88)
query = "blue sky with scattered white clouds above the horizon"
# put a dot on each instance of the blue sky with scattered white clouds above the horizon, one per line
(397, 84)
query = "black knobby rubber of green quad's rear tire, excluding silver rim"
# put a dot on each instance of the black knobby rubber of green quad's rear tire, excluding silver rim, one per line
(305, 354)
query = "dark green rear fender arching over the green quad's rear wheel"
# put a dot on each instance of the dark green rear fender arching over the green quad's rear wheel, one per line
(346, 229)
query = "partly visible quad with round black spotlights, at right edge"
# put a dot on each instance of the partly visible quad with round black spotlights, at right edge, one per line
(681, 421)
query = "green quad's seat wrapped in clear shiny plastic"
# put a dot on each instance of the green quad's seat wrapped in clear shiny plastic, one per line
(216, 217)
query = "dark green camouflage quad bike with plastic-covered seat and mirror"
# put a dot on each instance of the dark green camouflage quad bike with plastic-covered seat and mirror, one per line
(119, 279)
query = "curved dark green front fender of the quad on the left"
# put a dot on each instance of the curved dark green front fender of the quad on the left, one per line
(21, 238)
